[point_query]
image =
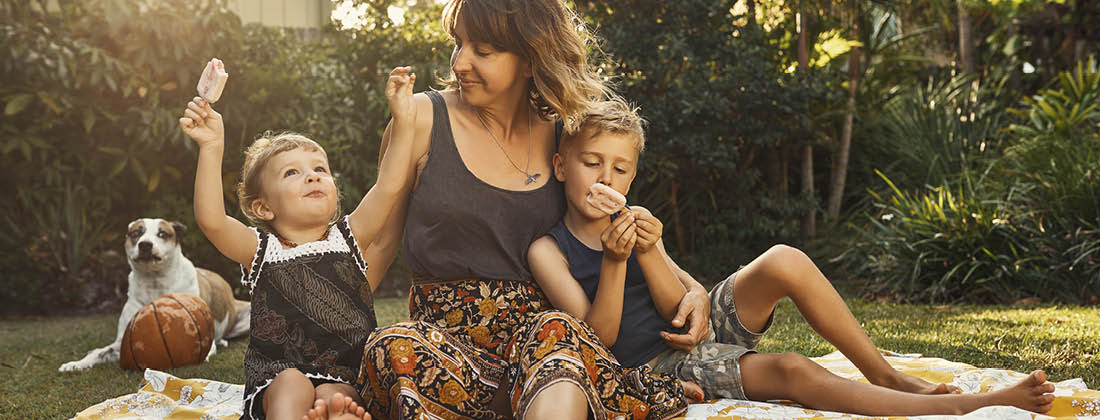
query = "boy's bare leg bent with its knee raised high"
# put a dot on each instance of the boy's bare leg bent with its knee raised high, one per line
(787, 272)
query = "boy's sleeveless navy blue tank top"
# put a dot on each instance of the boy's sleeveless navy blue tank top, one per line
(640, 338)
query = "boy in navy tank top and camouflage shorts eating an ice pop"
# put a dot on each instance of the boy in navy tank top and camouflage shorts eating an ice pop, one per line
(613, 272)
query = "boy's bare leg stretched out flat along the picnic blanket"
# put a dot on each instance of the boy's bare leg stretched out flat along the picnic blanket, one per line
(795, 378)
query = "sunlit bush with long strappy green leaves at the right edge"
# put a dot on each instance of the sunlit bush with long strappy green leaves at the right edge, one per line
(1030, 229)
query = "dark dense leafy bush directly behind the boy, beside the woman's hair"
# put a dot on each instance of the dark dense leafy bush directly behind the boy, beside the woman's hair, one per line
(725, 117)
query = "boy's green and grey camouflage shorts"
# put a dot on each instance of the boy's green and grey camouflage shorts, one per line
(714, 364)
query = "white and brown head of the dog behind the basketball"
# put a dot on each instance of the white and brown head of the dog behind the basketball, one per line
(152, 242)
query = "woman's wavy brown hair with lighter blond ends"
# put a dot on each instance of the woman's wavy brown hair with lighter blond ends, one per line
(547, 35)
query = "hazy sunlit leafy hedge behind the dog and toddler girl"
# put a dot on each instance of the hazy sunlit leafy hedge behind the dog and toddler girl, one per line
(91, 140)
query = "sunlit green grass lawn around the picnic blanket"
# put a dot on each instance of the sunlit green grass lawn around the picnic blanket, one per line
(1063, 341)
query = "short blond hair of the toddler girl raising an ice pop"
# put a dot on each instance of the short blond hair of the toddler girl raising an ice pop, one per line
(257, 157)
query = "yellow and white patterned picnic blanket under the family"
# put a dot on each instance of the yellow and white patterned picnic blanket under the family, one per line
(163, 396)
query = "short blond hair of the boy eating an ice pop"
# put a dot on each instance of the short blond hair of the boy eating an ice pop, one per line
(613, 116)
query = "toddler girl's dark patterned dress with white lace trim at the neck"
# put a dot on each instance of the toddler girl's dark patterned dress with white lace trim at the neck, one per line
(312, 311)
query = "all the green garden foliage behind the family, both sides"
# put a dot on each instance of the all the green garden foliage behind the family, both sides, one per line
(93, 91)
